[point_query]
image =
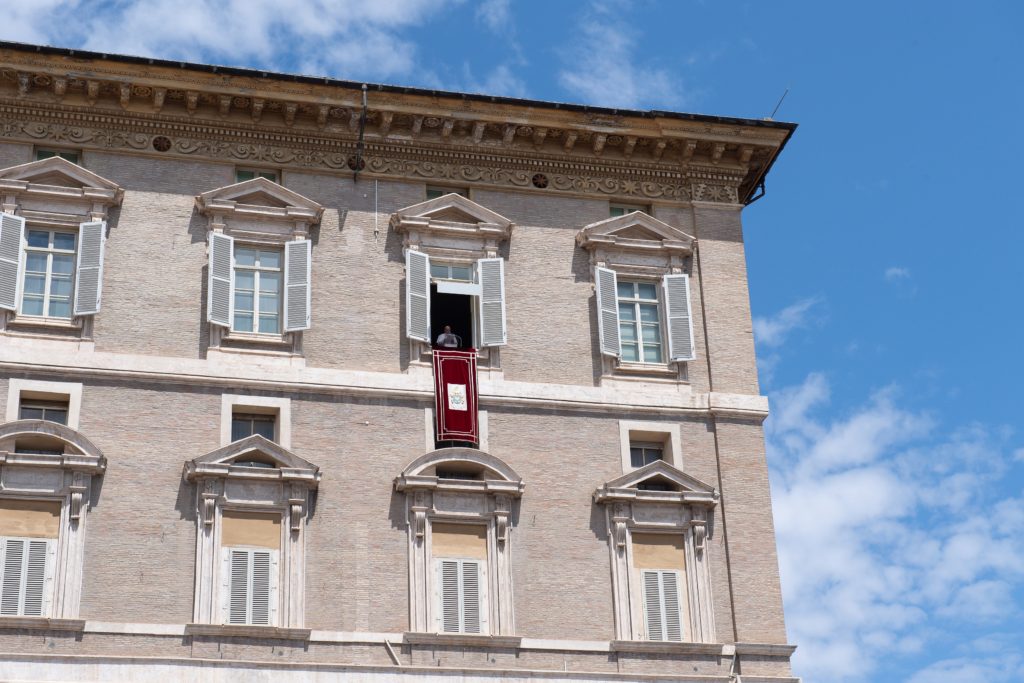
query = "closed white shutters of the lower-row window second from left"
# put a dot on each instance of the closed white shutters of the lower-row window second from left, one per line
(250, 586)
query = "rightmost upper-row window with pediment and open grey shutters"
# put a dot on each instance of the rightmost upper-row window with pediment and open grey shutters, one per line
(643, 295)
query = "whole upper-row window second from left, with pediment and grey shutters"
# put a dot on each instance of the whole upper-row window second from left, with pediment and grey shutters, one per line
(260, 276)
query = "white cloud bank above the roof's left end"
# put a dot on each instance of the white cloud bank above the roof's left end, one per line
(343, 38)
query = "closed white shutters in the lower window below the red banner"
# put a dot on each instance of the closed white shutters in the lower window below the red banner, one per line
(462, 596)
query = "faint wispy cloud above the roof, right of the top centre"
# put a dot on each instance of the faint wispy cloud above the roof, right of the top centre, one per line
(603, 68)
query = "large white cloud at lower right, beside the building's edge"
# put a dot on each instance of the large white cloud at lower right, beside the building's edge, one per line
(889, 533)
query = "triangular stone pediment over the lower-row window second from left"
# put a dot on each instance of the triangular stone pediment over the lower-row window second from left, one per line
(273, 462)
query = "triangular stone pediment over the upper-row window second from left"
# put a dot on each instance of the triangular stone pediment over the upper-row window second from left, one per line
(260, 198)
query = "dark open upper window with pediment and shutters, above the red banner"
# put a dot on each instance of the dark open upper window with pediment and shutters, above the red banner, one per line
(455, 277)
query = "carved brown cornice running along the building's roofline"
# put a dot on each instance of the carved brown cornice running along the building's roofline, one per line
(310, 123)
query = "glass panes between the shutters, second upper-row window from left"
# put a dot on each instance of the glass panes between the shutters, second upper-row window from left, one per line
(258, 290)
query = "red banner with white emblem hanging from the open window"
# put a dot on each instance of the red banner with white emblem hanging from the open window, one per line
(455, 396)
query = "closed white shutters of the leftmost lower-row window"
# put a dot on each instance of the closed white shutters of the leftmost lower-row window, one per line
(27, 582)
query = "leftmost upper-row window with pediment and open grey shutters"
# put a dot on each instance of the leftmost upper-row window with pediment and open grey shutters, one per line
(53, 239)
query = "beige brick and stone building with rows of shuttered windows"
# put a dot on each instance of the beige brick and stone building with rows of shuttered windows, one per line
(219, 293)
